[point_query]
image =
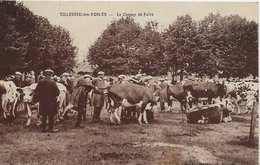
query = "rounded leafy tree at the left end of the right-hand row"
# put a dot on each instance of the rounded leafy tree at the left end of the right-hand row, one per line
(114, 50)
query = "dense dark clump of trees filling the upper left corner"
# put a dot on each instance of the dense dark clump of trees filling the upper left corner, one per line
(30, 42)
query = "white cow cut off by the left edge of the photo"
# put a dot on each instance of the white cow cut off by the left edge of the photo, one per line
(9, 98)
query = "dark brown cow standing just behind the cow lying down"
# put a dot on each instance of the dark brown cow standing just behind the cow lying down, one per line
(205, 90)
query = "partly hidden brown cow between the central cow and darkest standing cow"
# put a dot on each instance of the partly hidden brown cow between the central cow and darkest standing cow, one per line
(177, 92)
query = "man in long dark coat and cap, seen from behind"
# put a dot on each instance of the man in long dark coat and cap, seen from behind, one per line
(47, 92)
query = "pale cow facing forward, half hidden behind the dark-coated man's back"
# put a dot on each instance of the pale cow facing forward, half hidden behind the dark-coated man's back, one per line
(27, 98)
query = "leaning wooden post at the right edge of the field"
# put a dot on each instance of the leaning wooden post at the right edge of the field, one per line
(253, 124)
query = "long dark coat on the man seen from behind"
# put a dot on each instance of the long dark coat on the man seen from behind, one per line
(47, 91)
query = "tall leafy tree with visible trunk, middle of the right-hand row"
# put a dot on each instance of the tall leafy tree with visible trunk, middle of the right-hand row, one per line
(179, 43)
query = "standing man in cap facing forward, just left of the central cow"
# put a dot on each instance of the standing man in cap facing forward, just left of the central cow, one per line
(98, 99)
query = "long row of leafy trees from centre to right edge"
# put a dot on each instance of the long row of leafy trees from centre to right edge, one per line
(223, 45)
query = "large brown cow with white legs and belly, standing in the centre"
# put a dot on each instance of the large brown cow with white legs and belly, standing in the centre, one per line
(127, 95)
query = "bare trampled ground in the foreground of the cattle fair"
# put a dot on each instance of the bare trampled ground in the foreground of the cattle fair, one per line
(168, 140)
